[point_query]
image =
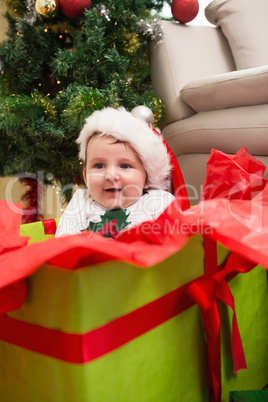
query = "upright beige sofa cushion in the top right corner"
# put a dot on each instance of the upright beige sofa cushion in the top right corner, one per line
(244, 23)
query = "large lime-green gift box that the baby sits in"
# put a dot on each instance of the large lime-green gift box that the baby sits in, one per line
(117, 332)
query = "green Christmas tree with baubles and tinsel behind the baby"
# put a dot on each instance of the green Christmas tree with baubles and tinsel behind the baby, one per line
(62, 60)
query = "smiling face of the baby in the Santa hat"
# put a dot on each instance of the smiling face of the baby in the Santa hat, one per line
(114, 173)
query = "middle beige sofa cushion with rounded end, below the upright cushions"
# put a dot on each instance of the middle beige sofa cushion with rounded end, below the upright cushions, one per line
(236, 88)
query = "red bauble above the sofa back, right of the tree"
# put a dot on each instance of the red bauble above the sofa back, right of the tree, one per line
(184, 10)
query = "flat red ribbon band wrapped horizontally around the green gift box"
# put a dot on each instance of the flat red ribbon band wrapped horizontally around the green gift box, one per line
(83, 348)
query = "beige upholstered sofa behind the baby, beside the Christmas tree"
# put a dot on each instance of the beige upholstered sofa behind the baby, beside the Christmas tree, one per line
(213, 81)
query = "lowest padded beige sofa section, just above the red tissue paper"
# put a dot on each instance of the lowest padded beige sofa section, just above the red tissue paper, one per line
(227, 130)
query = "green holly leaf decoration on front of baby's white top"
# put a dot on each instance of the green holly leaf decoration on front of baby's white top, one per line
(111, 224)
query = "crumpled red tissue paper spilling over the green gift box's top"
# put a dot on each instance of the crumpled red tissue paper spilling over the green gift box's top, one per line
(239, 224)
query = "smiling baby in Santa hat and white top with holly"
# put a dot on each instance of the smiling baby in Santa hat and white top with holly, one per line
(126, 171)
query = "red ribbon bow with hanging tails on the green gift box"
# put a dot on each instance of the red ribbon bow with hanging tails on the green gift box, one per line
(206, 291)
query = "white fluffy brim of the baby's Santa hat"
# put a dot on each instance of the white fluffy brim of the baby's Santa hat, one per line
(123, 126)
